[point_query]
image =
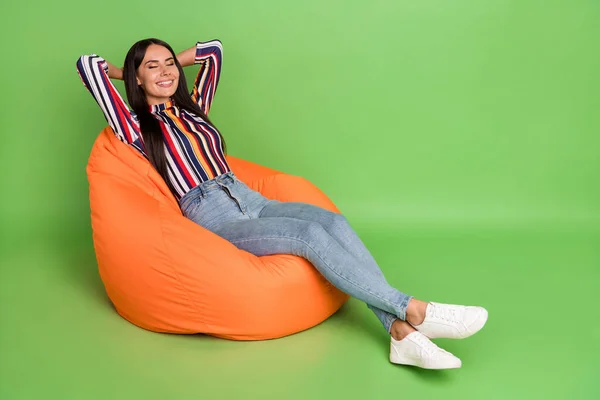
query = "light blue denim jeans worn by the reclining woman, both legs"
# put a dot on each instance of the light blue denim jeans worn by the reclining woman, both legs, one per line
(244, 217)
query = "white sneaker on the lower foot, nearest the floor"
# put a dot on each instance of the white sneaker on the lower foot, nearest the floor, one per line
(416, 349)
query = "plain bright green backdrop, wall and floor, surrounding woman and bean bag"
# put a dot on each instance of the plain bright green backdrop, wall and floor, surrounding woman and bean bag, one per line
(459, 138)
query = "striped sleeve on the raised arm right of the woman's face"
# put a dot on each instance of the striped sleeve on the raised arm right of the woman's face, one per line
(209, 56)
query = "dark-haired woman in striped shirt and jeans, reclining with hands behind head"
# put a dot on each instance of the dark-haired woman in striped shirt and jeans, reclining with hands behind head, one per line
(171, 129)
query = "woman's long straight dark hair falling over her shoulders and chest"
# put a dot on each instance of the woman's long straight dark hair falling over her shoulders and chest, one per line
(151, 132)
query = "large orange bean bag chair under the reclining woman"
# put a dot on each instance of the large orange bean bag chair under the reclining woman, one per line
(165, 273)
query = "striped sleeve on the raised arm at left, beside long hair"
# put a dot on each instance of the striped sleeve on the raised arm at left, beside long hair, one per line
(93, 71)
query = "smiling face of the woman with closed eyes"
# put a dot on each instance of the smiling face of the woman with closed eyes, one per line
(158, 75)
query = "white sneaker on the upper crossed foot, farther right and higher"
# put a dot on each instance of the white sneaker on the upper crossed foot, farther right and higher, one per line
(452, 321)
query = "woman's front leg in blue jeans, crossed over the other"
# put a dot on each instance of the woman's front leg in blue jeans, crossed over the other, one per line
(270, 235)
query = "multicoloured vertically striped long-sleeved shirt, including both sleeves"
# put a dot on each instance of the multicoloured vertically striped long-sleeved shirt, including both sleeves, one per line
(192, 146)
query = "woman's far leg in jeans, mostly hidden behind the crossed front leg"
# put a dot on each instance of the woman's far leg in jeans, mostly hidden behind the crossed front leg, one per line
(337, 227)
